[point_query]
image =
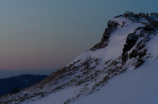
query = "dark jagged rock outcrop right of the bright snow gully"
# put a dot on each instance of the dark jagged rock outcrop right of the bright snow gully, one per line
(135, 45)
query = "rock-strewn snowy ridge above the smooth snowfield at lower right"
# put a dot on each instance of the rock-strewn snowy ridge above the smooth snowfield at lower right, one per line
(127, 43)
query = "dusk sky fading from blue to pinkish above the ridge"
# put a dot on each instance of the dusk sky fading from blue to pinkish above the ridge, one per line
(48, 34)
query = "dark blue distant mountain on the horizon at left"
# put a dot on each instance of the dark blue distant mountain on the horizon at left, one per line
(13, 84)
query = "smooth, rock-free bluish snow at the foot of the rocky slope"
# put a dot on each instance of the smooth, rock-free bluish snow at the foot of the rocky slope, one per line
(132, 87)
